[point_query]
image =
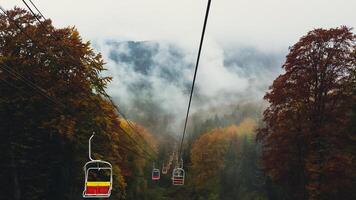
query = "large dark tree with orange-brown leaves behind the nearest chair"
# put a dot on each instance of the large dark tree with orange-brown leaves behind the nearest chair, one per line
(52, 100)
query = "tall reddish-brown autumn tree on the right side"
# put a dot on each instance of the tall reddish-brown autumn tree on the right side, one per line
(305, 131)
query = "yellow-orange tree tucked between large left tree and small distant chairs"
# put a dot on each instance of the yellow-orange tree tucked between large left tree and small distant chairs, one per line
(137, 159)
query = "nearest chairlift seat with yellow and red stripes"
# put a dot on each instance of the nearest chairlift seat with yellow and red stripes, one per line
(98, 179)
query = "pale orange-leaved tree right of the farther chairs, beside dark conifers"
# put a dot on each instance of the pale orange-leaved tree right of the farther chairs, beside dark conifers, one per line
(209, 150)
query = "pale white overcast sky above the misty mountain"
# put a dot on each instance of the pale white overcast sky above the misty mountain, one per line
(267, 24)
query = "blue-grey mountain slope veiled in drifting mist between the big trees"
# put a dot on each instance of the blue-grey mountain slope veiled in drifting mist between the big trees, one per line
(152, 79)
